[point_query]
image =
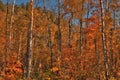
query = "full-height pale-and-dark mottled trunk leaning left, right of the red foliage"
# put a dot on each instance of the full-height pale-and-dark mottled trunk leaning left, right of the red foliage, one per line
(104, 40)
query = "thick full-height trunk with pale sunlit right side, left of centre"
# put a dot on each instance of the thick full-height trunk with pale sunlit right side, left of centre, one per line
(29, 53)
